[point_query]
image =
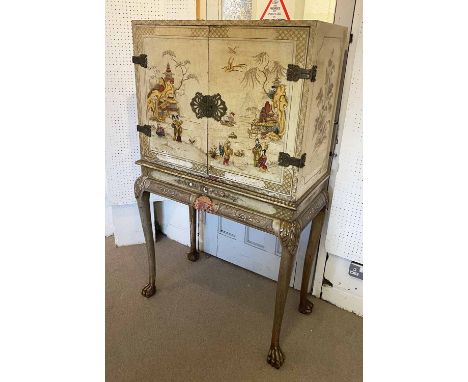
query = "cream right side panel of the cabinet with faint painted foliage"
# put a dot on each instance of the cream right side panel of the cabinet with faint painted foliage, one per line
(328, 46)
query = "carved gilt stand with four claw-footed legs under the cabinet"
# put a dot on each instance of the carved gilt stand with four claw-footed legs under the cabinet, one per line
(288, 232)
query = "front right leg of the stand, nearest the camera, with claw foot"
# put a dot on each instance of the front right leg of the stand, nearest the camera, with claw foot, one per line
(289, 235)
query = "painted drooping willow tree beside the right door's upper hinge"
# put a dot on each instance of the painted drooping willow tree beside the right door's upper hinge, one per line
(263, 71)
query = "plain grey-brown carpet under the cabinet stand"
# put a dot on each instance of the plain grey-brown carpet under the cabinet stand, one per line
(211, 321)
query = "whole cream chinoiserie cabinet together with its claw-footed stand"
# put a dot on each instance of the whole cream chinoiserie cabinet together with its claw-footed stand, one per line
(237, 118)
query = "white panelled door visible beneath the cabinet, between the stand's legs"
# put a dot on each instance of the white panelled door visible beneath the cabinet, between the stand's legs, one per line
(249, 248)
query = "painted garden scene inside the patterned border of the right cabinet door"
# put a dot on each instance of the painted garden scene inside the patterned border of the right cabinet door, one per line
(252, 133)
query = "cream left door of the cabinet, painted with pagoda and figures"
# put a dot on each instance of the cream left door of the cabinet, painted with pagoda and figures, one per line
(176, 69)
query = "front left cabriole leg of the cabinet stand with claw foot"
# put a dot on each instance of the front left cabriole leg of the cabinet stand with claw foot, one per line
(145, 216)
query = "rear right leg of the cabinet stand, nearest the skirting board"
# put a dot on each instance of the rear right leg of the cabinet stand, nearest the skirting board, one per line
(305, 305)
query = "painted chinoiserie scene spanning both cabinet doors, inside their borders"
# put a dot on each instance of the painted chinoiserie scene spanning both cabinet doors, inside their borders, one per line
(251, 80)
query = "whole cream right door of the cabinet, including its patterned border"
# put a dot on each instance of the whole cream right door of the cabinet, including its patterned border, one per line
(247, 67)
